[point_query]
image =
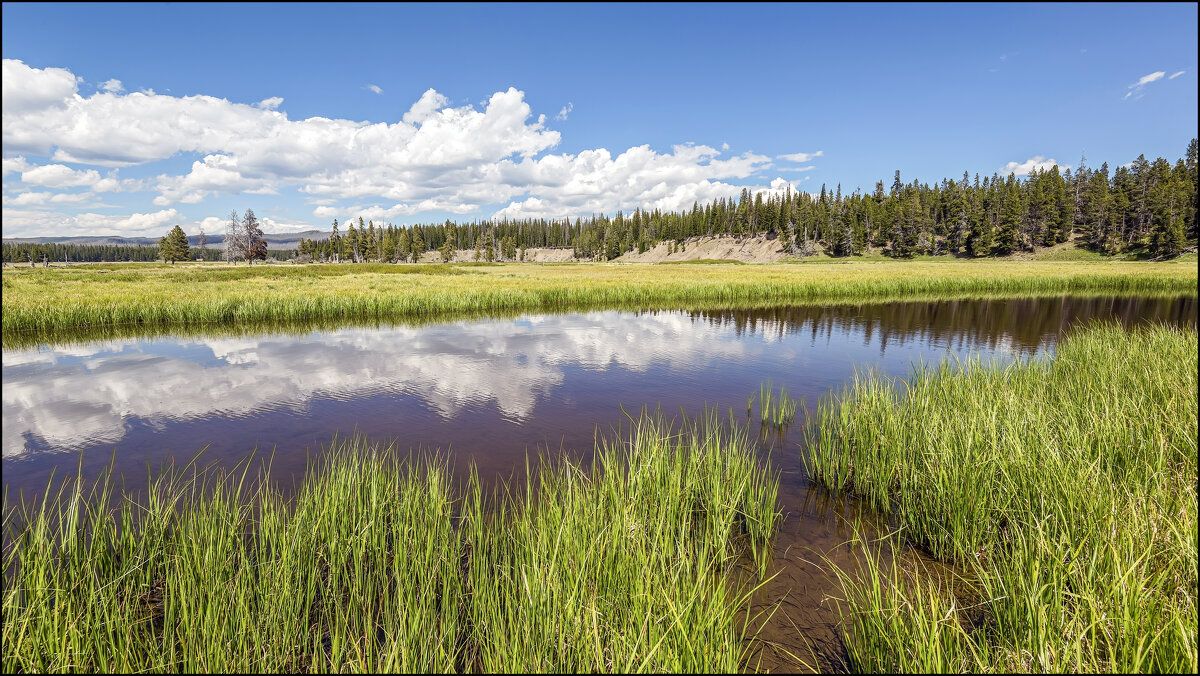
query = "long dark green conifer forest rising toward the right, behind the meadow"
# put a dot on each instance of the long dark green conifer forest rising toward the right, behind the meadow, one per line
(1148, 207)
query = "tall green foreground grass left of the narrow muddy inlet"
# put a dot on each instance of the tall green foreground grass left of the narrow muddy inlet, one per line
(377, 566)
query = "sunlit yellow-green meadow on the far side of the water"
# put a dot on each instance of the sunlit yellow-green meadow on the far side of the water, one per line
(45, 301)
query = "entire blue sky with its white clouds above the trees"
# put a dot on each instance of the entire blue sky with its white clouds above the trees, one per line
(127, 119)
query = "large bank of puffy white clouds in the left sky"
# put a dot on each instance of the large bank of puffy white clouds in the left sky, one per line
(490, 159)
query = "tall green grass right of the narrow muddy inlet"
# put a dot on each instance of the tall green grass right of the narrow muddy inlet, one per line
(1066, 488)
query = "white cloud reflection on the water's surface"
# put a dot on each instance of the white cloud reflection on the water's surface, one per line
(83, 396)
